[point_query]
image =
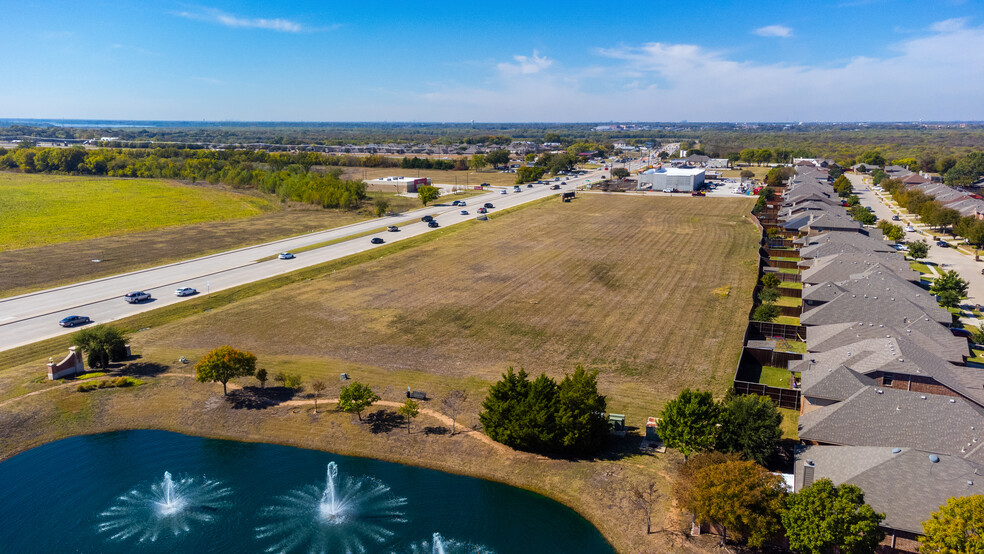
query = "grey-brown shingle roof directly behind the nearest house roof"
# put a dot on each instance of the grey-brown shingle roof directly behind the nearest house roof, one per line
(875, 416)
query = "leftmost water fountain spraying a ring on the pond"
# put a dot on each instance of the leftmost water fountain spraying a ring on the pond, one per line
(164, 507)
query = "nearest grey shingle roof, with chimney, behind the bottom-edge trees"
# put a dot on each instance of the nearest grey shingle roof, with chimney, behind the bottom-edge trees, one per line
(906, 485)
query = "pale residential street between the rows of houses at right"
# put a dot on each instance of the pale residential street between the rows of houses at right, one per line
(945, 258)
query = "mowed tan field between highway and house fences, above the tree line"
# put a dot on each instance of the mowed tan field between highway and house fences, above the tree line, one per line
(654, 292)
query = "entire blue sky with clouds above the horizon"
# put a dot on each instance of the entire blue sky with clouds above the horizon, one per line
(498, 61)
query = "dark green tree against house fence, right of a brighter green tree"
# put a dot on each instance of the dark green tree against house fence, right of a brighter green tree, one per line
(750, 425)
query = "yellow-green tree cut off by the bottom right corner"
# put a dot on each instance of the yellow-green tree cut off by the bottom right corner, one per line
(956, 527)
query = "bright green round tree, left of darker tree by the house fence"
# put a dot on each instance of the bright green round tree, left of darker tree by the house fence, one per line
(690, 422)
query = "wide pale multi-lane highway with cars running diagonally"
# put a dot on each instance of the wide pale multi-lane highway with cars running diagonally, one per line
(32, 317)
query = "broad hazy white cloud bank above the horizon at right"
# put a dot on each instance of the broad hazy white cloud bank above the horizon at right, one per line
(937, 76)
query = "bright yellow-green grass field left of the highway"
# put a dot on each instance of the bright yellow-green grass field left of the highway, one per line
(38, 210)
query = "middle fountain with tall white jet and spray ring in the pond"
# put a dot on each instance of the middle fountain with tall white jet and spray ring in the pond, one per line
(343, 516)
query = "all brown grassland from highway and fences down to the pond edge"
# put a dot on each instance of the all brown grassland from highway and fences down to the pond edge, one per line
(624, 285)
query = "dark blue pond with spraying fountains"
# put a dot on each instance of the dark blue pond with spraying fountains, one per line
(155, 491)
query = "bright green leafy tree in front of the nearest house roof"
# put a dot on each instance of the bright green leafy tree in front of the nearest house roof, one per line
(824, 519)
